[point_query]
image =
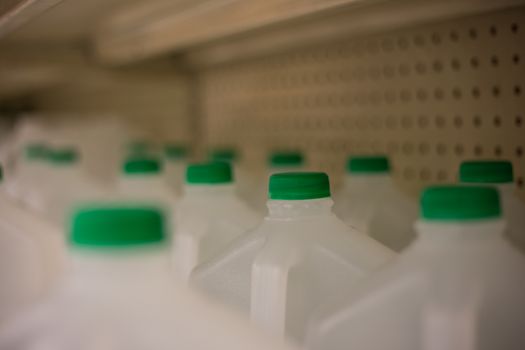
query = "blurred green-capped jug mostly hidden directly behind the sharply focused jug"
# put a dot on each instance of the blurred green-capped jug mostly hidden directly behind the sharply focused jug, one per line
(278, 162)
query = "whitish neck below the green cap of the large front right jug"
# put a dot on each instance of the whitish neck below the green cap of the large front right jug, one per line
(452, 235)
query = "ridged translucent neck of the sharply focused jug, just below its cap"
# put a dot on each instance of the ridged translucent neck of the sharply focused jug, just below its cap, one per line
(293, 209)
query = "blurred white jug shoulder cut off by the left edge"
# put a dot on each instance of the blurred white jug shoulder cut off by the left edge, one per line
(31, 257)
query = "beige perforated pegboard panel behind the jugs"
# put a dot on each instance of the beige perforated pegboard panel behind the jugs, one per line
(429, 96)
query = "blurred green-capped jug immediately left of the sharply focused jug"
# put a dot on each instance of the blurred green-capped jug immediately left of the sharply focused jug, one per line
(209, 215)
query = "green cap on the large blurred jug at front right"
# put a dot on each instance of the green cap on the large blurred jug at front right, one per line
(459, 203)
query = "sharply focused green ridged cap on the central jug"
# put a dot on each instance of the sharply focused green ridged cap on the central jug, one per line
(299, 186)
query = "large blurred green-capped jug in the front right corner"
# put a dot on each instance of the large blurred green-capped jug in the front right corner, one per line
(458, 286)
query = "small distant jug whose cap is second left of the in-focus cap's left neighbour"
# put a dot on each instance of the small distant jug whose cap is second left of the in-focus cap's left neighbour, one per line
(175, 162)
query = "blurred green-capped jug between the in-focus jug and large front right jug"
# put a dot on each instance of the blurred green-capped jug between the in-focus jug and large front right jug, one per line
(370, 202)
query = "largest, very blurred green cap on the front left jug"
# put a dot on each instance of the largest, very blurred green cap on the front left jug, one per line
(117, 227)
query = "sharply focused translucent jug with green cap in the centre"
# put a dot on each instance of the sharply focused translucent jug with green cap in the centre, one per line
(299, 257)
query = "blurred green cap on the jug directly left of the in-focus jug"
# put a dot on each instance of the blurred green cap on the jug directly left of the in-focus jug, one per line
(212, 173)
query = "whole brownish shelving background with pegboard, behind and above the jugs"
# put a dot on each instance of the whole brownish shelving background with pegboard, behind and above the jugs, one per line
(429, 83)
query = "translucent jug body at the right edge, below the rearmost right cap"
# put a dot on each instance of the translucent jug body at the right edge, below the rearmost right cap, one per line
(514, 212)
